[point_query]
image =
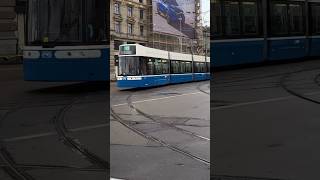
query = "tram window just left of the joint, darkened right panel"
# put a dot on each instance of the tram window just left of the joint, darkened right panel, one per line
(249, 17)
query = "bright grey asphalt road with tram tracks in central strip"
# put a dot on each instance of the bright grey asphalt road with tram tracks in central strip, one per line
(161, 133)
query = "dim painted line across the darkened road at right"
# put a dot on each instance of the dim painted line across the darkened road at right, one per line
(261, 101)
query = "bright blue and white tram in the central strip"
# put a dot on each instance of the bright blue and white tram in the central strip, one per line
(141, 67)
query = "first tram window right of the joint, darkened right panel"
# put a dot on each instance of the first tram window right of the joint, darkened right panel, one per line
(279, 18)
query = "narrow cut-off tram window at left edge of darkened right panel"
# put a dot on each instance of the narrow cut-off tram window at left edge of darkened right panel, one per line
(216, 28)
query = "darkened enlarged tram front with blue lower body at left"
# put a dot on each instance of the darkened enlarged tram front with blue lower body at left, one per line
(67, 40)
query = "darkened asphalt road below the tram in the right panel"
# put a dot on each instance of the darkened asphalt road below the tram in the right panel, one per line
(266, 122)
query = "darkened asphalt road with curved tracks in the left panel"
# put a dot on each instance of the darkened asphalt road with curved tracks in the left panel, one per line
(52, 130)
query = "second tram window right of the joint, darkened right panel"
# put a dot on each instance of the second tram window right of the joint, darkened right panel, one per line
(296, 18)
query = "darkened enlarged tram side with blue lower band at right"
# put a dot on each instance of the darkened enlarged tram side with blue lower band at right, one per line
(256, 31)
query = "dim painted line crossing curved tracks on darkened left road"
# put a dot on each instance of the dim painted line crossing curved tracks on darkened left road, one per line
(33, 136)
